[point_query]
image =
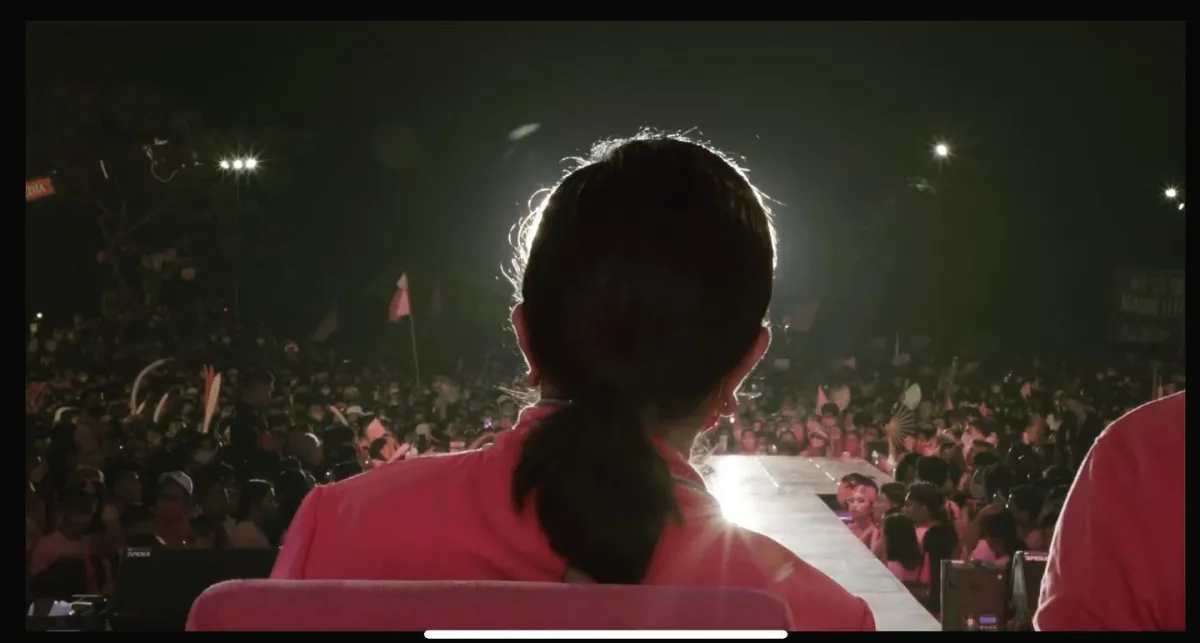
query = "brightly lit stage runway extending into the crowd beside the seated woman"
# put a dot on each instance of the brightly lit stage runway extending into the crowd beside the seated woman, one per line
(779, 496)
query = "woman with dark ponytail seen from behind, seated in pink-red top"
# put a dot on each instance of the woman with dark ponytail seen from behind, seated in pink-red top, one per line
(645, 283)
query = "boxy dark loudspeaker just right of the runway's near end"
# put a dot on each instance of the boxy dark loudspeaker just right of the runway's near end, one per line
(975, 597)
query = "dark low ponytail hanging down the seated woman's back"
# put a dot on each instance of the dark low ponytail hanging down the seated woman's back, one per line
(602, 490)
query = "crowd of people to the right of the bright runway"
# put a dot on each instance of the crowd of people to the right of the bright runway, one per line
(979, 472)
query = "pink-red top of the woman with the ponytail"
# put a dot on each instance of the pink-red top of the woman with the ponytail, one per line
(452, 519)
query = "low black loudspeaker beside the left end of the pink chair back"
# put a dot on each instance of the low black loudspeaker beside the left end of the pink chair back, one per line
(157, 588)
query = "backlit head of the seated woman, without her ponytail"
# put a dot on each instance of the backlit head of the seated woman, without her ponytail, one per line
(645, 279)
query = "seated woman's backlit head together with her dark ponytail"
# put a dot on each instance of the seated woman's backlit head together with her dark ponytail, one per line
(645, 279)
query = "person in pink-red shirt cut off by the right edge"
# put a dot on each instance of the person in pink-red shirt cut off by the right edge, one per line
(1118, 556)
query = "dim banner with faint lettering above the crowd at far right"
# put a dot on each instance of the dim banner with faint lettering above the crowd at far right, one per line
(1149, 307)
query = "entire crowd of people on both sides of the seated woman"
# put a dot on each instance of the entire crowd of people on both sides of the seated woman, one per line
(191, 440)
